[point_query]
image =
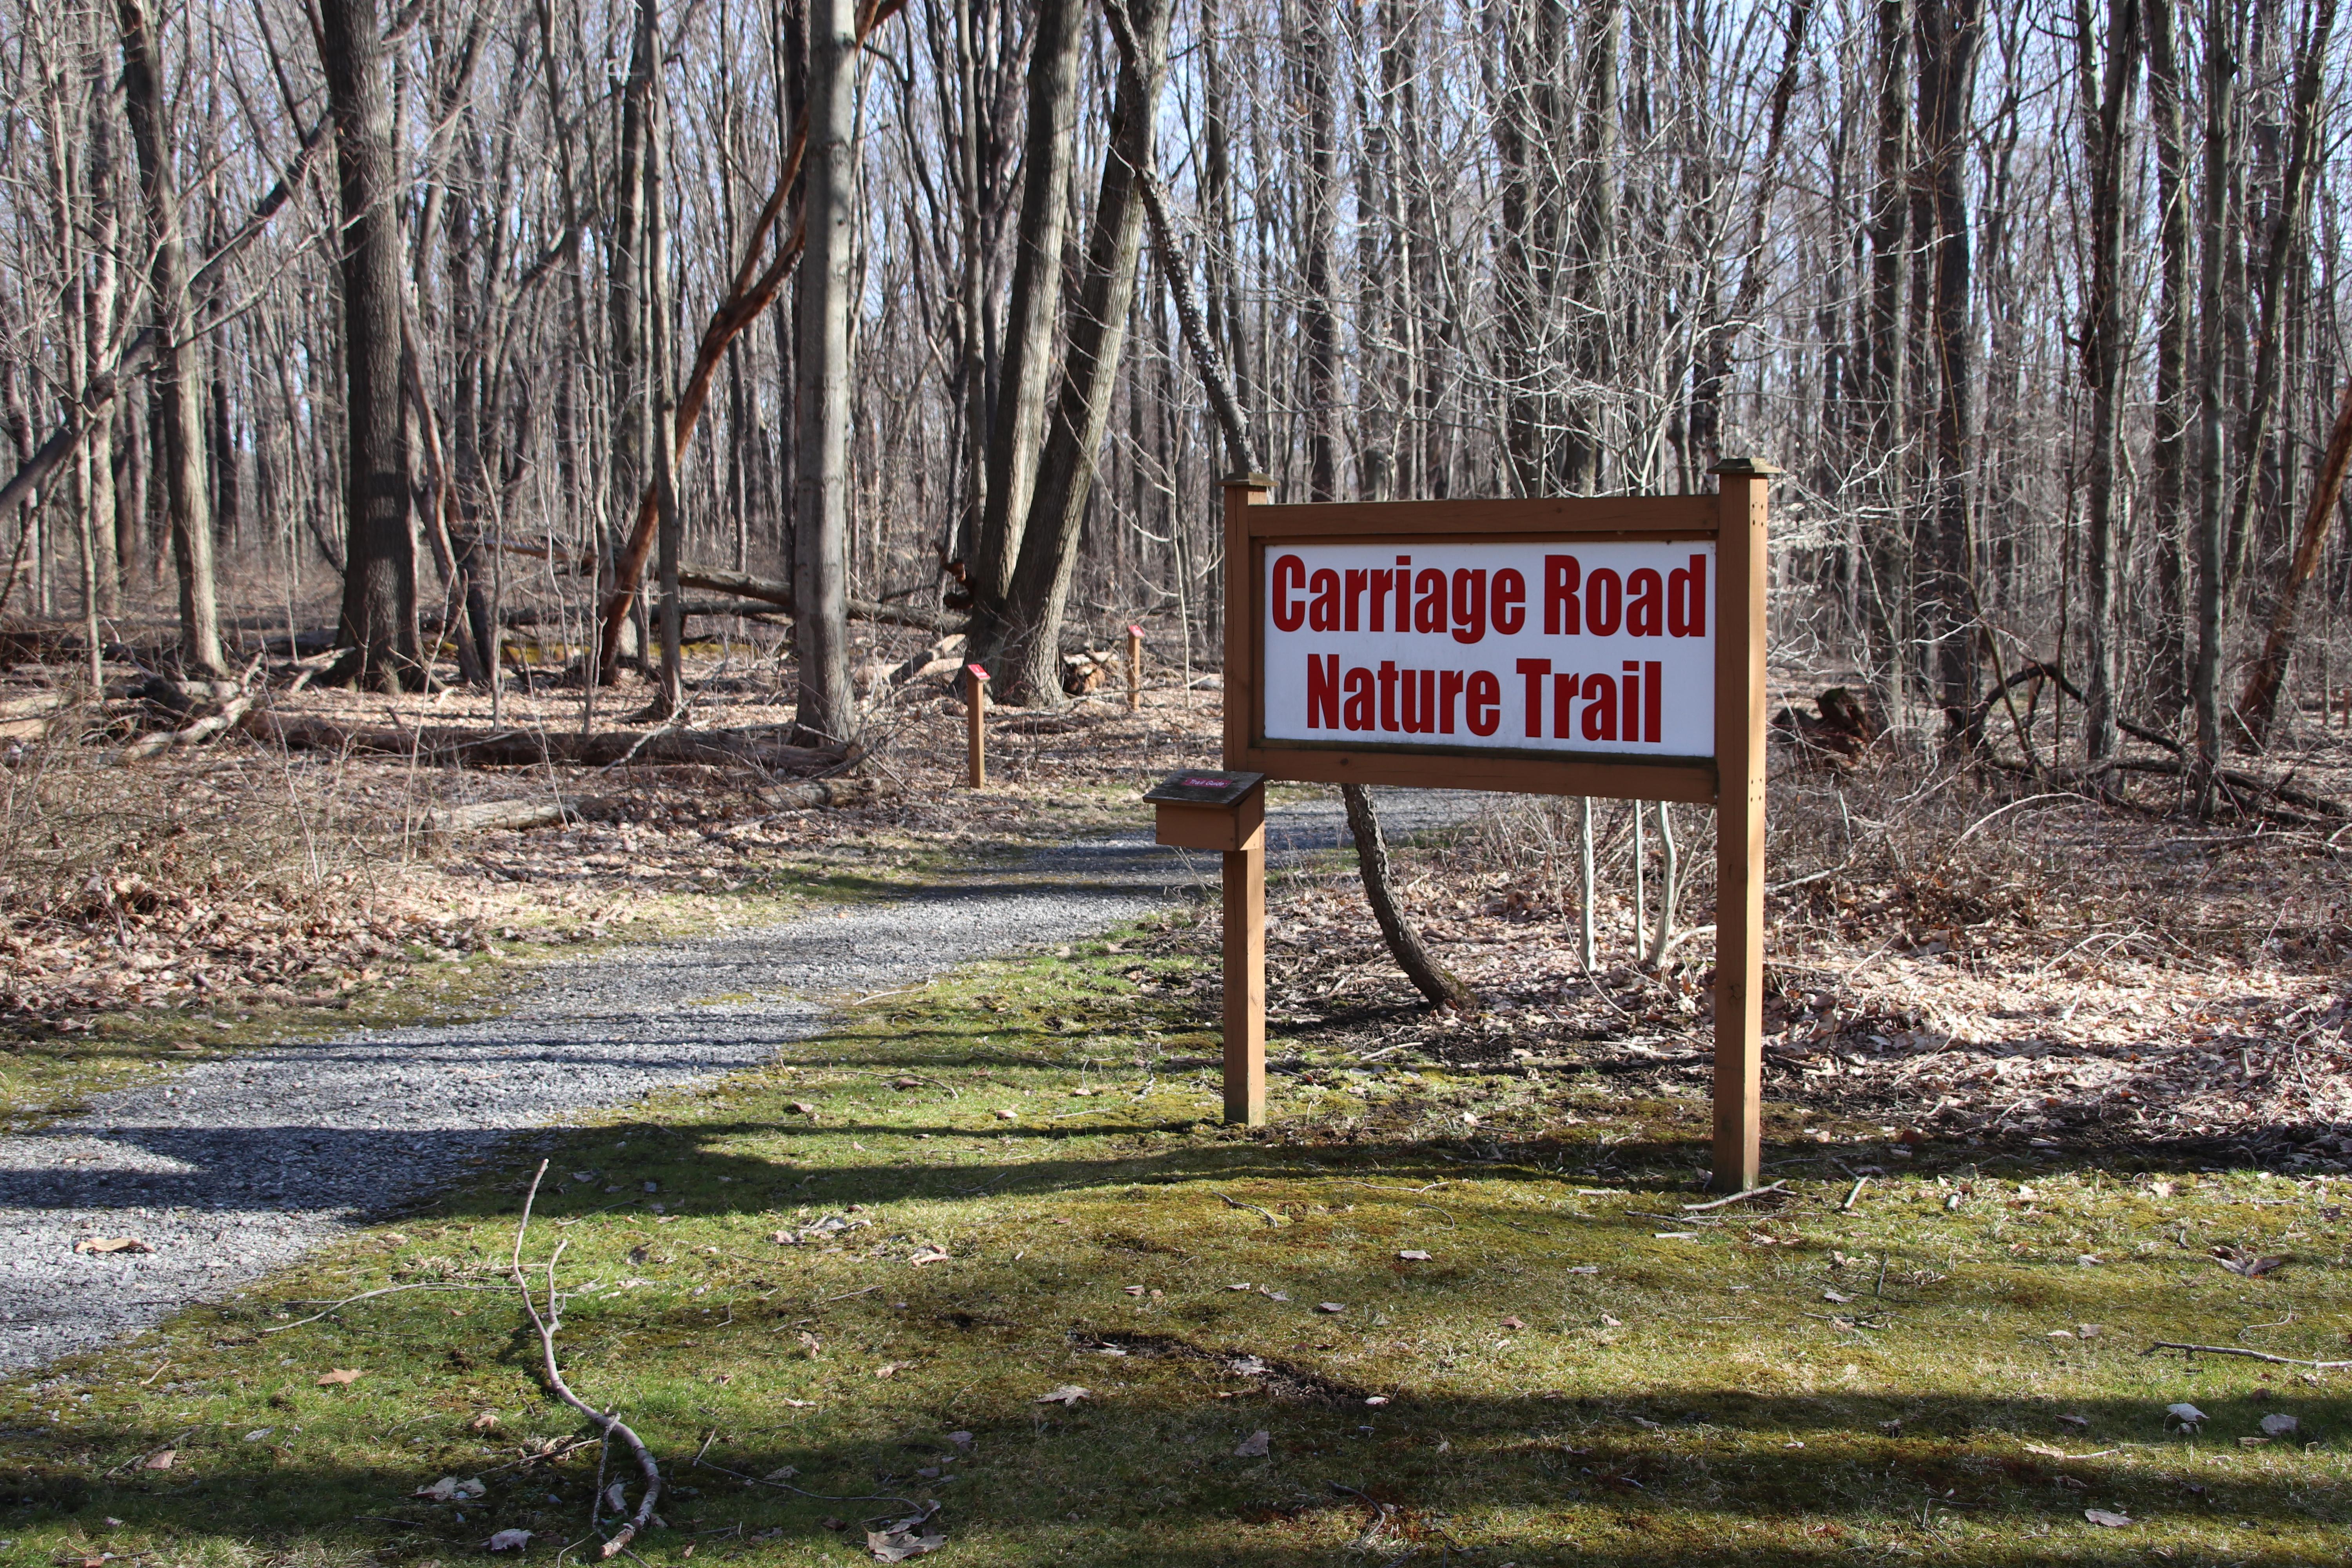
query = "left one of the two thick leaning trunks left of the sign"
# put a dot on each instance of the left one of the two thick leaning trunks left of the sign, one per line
(1029, 330)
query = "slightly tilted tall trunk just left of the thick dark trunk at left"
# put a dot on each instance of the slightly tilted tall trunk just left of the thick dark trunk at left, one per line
(180, 389)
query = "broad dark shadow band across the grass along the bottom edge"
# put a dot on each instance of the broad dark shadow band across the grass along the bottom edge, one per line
(1664, 1477)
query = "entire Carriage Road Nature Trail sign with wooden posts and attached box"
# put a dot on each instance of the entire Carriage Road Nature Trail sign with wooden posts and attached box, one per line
(1551, 648)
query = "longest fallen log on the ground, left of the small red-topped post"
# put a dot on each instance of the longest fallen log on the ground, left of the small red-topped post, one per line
(448, 746)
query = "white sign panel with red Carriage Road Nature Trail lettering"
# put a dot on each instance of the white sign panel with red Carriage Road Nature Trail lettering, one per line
(1539, 648)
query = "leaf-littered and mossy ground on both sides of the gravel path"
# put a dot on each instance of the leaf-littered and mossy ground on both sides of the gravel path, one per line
(2047, 1083)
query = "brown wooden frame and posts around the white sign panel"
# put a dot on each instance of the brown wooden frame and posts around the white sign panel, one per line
(1732, 782)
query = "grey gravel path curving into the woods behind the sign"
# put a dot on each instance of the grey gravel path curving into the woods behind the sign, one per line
(241, 1165)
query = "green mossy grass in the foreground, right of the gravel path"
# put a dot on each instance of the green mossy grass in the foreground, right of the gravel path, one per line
(1582, 1372)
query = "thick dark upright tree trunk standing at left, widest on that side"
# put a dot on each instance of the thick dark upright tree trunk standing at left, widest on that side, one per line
(380, 554)
